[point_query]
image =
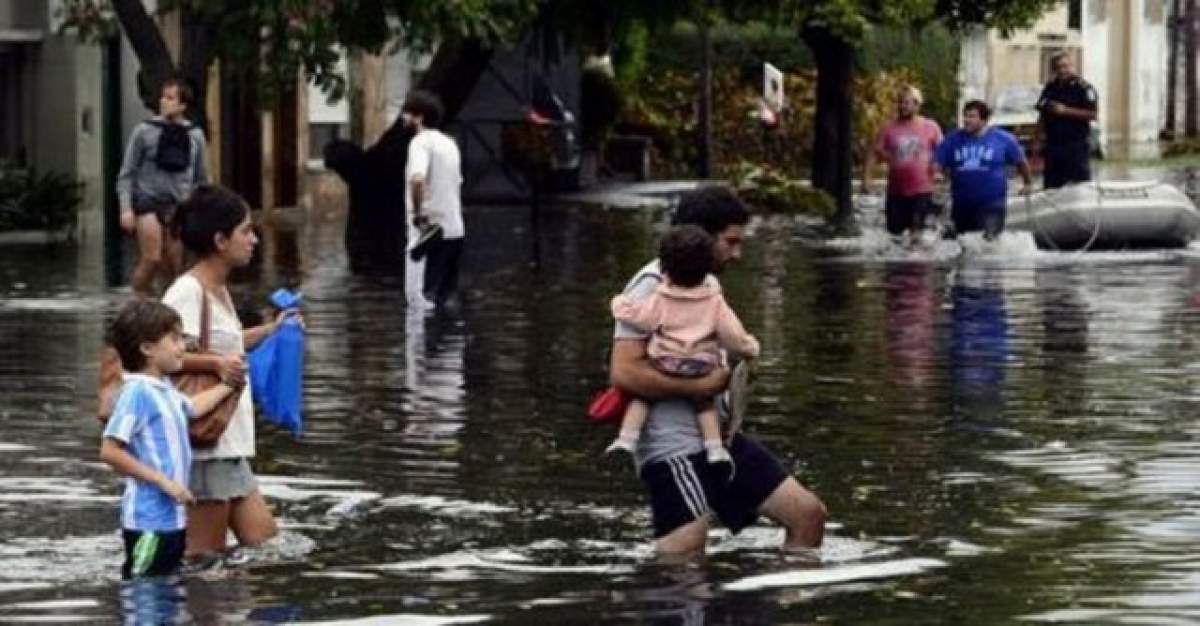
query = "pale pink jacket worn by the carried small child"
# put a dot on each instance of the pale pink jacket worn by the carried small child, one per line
(691, 323)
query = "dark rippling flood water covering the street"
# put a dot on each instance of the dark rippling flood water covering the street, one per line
(999, 438)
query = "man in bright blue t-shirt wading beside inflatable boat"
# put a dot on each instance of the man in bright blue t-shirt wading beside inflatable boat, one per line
(976, 159)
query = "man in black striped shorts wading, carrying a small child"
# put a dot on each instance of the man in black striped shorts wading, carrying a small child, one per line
(683, 489)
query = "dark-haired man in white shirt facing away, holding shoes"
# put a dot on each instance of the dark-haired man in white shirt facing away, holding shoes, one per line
(433, 182)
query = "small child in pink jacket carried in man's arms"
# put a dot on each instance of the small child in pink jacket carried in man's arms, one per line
(691, 324)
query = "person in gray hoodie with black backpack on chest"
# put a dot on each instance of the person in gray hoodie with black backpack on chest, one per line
(164, 162)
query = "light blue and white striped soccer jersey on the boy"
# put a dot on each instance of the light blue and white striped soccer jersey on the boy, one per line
(151, 418)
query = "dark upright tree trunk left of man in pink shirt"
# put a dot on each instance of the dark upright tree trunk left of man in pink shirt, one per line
(833, 142)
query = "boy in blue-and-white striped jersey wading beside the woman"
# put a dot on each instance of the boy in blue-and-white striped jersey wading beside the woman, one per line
(146, 440)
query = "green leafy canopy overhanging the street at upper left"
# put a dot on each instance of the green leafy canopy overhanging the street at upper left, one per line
(277, 41)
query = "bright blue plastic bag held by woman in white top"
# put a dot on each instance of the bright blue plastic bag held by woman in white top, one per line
(277, 369)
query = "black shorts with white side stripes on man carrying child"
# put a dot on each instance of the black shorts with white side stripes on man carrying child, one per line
(683, 490)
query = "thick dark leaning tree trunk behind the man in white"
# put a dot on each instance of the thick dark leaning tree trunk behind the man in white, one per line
(375, 227)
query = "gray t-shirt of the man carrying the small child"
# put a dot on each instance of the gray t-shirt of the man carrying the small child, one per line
(671, 429)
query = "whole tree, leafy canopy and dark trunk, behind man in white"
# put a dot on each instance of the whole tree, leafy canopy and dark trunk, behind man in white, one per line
(274, 43)
